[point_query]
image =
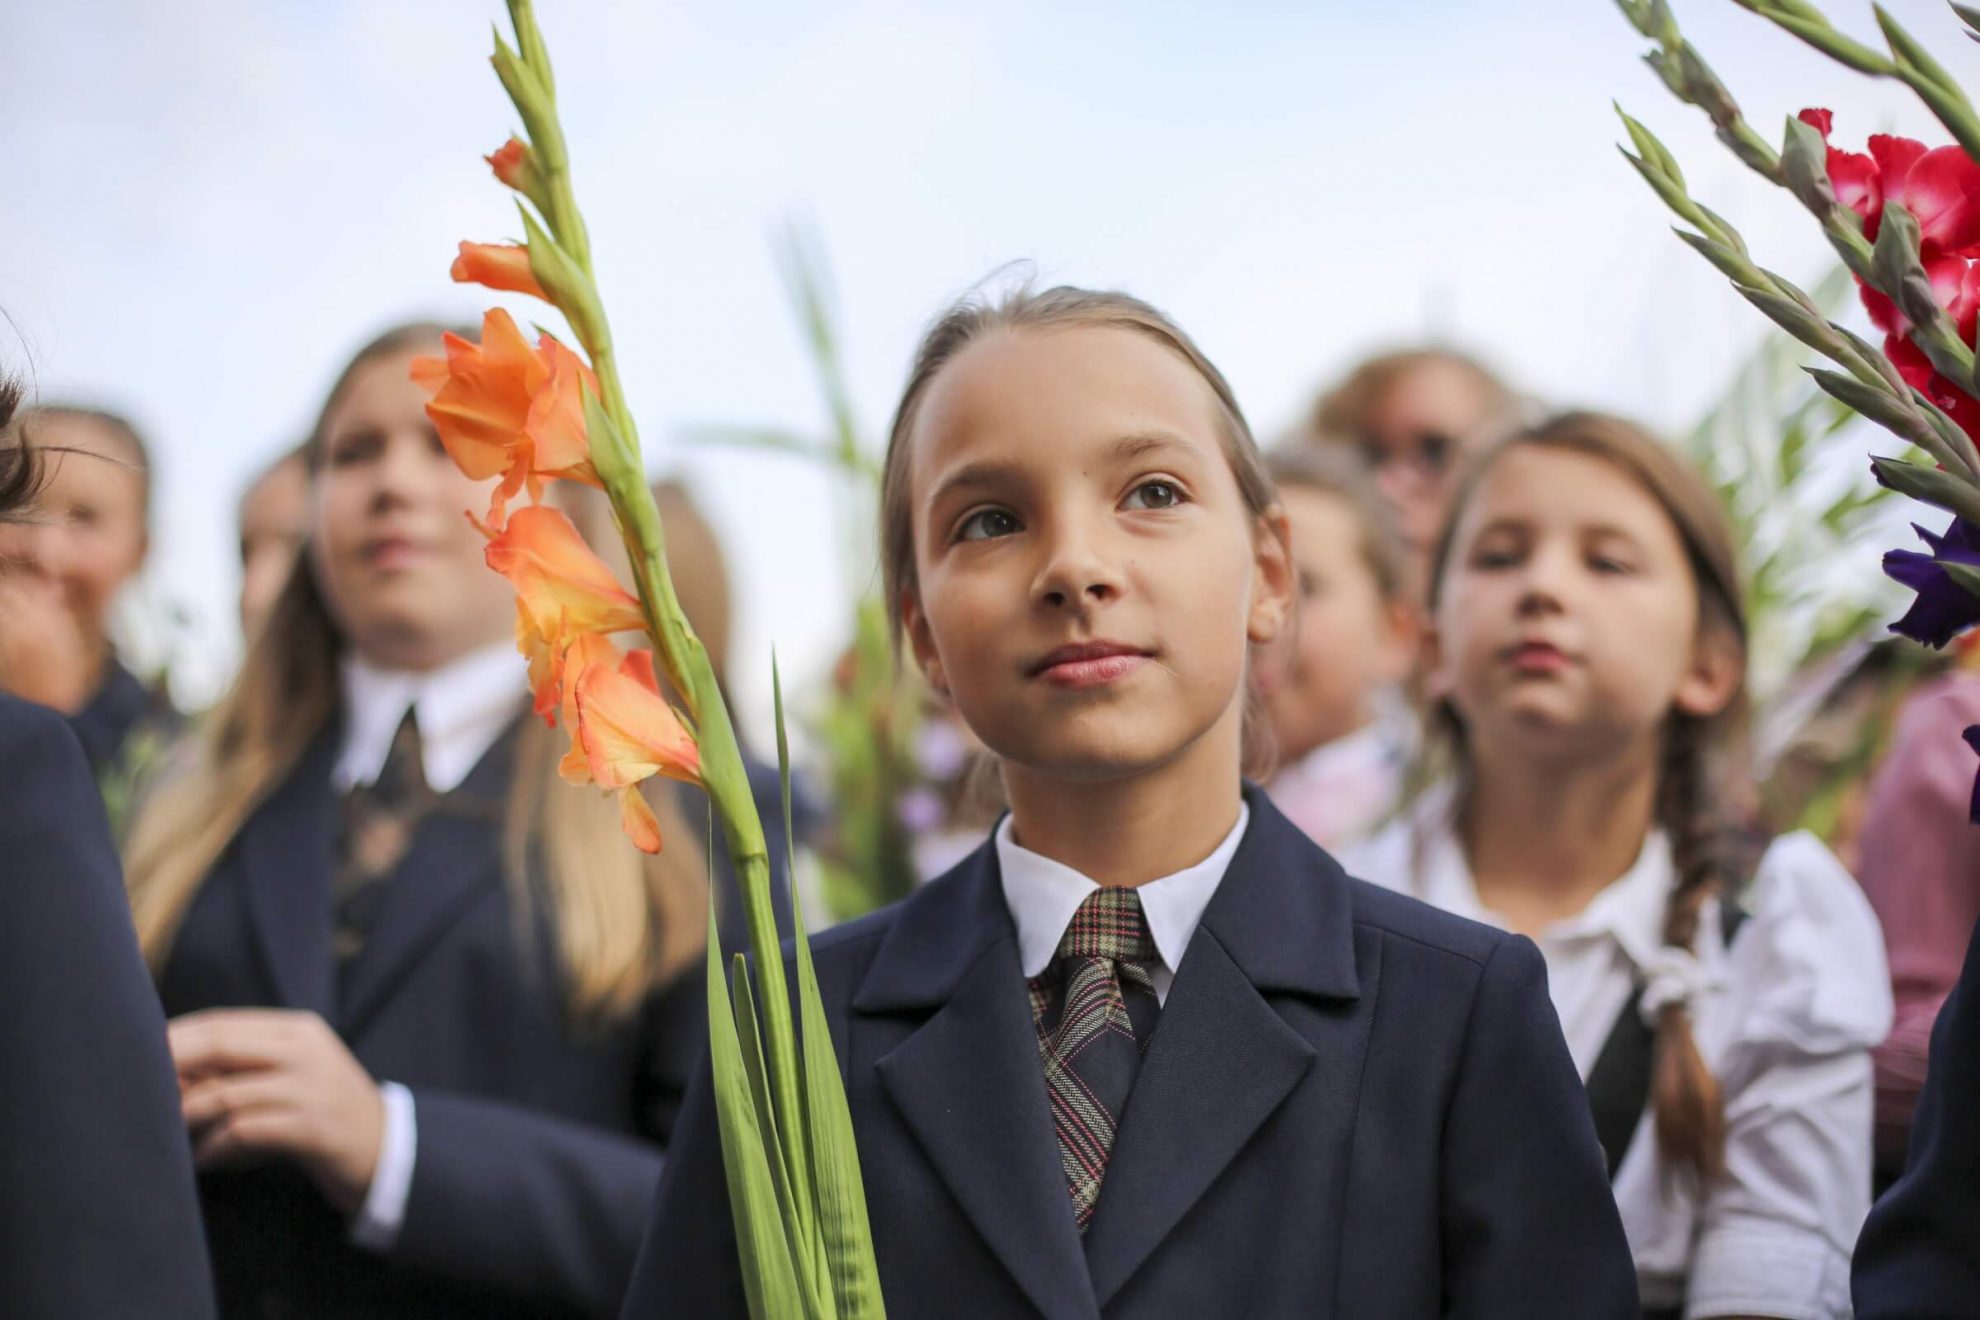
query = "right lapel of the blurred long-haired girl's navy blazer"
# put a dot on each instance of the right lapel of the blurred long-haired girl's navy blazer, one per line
(454, 858)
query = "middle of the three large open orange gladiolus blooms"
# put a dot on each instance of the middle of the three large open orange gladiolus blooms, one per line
(561, 593)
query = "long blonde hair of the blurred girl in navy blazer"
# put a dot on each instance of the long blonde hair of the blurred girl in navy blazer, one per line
(623, 921)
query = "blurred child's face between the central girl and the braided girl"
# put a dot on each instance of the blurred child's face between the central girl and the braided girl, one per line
(1351, 642)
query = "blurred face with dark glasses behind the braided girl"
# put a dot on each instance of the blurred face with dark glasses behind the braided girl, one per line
(1419, 436)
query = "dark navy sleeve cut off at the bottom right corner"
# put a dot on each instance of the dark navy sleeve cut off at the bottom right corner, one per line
(1920, 1254)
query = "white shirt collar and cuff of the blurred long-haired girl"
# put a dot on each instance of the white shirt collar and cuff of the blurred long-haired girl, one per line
(462, 707)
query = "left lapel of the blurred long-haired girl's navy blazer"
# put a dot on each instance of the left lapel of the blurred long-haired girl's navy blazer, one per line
(286, 852)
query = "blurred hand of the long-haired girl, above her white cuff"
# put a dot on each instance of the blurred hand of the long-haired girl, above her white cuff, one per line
(278, 1084)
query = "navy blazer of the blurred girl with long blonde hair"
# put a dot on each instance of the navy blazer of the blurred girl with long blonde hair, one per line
(540, 1143)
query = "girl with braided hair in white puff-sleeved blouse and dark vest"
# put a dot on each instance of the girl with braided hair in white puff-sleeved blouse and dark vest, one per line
(1587, 678)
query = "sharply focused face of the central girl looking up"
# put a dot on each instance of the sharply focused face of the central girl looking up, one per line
(1088, 575)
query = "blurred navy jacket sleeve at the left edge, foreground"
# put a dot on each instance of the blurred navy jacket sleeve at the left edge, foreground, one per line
(98, 1208)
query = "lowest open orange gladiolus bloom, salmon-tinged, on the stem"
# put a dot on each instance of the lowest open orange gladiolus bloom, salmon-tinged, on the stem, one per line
(625, 733)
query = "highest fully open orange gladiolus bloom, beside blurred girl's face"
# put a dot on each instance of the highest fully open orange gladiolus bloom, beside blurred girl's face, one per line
(510, 411)
